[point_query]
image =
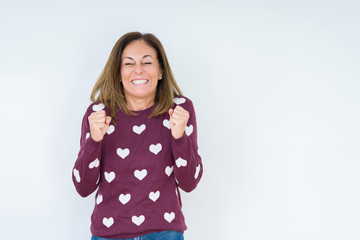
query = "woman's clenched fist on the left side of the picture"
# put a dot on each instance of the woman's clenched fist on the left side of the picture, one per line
(99, 123)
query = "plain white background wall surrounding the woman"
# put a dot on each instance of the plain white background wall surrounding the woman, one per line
(276, 89)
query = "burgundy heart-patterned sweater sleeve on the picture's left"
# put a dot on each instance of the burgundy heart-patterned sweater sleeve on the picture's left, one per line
(86, 171)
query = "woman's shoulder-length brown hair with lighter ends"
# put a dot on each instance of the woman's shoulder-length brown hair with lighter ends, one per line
(109, 90)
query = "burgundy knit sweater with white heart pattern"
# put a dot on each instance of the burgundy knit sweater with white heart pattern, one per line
(137, 169)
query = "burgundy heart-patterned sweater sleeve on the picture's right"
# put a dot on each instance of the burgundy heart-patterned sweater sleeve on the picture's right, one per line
(188, 167)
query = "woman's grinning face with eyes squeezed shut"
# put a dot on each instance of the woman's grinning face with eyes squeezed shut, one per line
(140, 70)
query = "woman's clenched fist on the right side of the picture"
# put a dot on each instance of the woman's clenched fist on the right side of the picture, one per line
(178, 120)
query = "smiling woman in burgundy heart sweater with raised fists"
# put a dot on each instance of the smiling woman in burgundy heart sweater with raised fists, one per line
(138, 145)
